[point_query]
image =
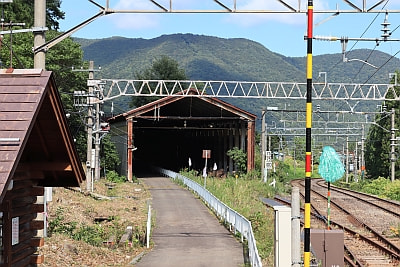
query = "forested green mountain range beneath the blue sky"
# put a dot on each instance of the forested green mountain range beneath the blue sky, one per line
(213, 58)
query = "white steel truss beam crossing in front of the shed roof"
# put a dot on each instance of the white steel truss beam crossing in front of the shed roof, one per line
(113, 88)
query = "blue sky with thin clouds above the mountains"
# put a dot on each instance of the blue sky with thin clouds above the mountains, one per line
(282, 33)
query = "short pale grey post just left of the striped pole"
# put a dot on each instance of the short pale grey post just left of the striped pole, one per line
(296, 255)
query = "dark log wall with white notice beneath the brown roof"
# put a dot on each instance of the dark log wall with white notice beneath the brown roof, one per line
(23, 206)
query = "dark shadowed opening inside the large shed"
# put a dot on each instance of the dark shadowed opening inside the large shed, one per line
(172, 147)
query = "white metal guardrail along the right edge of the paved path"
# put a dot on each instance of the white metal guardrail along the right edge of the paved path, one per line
(236, 221)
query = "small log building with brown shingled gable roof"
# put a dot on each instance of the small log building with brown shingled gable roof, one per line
(36, 151)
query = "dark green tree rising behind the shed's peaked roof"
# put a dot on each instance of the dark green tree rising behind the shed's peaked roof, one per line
(163, 68)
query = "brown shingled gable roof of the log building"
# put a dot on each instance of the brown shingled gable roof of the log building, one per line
(35, 140)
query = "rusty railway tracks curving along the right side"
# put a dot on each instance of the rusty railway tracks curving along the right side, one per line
(365, 220)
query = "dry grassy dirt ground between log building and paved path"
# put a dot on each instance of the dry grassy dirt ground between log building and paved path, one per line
(72, 209)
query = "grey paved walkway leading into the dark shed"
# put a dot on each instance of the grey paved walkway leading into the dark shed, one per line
(186, 232)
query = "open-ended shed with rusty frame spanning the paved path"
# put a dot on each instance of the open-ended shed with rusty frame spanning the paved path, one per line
(169, 131)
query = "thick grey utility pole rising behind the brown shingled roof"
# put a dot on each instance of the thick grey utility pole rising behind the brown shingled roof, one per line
(39, 36)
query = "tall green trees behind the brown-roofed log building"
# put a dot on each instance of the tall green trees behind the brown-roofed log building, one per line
(59, 59)
